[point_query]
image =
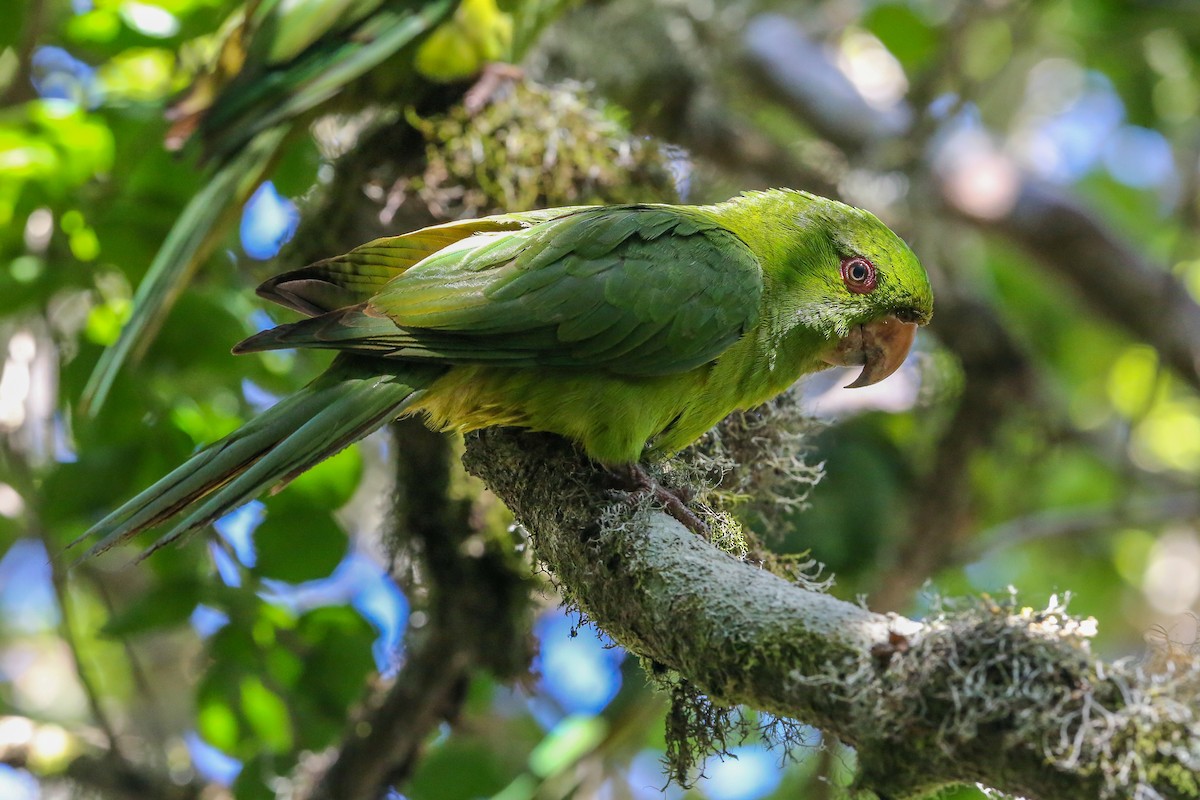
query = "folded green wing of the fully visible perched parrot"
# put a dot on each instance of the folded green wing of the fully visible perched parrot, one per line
(638, 291)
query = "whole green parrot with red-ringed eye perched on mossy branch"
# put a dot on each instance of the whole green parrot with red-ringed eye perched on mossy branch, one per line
(629, 329)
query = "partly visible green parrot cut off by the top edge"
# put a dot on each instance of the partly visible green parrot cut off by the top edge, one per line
(279, 65)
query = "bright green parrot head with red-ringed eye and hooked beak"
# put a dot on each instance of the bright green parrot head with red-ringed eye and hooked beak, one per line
(863, 290)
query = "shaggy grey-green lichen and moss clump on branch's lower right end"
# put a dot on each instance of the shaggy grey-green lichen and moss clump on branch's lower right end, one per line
(993, 666)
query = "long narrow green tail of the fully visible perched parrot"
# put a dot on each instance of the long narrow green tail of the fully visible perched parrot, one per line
(351, 400)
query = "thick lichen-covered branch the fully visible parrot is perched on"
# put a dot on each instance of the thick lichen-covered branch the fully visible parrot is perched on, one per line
(991, 694)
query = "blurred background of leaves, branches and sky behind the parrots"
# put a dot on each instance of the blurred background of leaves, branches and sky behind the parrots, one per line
(1041, 158)
